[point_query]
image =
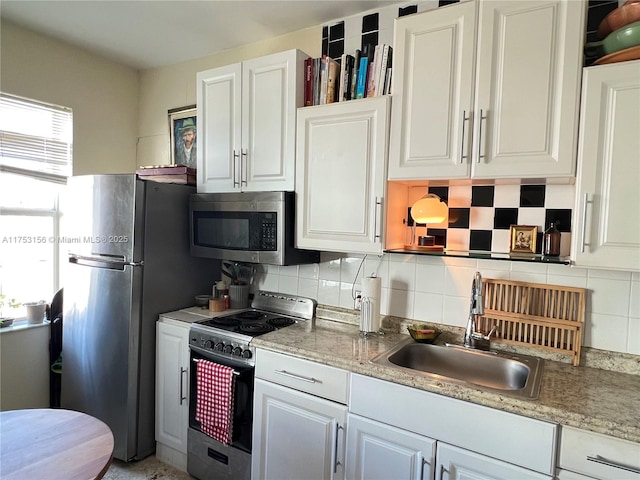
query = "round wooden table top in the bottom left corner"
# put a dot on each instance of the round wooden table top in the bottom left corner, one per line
(53, 444)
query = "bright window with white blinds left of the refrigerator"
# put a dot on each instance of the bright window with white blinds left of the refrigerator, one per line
(35, 161)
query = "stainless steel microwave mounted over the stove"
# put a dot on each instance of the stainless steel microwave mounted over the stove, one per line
(254, 227)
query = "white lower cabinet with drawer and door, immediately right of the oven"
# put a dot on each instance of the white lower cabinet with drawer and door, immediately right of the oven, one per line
(296, 433)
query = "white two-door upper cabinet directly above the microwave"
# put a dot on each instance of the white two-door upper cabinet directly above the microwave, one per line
(246, 124)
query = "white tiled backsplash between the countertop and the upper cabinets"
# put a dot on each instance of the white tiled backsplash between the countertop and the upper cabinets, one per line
(436, 289)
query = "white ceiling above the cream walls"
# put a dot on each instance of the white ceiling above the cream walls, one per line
(147, 34)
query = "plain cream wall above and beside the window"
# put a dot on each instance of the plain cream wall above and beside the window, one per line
(102, 94)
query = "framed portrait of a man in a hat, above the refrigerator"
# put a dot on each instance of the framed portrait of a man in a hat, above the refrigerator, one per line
(182, 125)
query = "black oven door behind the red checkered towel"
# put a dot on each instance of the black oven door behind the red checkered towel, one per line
(242, 402)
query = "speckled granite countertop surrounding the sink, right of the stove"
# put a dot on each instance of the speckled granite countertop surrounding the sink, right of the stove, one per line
(589, 398)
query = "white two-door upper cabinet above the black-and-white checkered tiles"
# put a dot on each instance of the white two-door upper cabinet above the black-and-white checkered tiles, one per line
(487, 89)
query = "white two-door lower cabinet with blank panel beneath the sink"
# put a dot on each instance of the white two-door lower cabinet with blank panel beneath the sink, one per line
(403, 425)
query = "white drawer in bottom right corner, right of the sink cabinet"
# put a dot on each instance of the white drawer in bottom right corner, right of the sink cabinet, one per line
(577, 446)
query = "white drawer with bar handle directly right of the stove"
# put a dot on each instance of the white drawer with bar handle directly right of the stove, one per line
(314, 378)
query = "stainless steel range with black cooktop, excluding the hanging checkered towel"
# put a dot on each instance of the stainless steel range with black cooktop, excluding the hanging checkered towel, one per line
(226, 340)
